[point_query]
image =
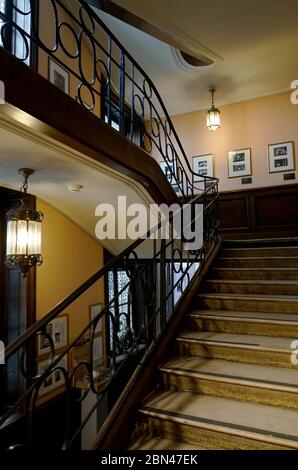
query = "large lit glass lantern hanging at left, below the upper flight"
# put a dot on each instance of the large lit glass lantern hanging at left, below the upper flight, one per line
(23, 244)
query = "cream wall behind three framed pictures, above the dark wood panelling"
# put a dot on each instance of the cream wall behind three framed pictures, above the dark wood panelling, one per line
(253, 124)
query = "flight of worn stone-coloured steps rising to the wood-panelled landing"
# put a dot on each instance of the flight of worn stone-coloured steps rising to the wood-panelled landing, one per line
(231, 384)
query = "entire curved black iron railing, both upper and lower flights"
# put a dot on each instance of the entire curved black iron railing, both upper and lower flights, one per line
(104, 78)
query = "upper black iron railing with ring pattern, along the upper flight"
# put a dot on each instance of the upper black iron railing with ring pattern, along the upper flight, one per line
(158, 132)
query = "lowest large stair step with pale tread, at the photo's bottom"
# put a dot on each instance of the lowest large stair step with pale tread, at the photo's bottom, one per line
(219, 422)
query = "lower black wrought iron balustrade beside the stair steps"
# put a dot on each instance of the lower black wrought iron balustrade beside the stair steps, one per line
(160, 279)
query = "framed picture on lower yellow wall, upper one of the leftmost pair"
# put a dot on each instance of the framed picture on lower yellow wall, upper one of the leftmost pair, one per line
(57, 329)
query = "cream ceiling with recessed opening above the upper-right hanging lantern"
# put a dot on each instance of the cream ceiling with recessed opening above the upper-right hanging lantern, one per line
(257, 40)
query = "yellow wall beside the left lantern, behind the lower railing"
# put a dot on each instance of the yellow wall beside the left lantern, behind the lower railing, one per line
(70, 257)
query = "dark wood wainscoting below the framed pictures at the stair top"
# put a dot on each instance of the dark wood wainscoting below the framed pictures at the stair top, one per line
(260, 213)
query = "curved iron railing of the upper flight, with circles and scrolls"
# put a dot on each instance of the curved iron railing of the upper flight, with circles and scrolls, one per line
(101, 75)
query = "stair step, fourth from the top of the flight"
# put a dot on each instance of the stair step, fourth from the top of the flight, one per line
(254, 273)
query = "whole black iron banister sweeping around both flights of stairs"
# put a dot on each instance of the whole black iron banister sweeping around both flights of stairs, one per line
(157, 291)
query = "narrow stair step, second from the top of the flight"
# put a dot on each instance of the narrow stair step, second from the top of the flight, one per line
(260, 251)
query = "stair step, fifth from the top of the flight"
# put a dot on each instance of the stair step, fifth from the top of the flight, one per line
(236, 286)
